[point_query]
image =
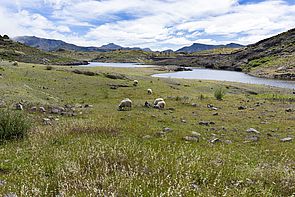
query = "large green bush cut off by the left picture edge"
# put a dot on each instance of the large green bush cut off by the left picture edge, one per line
(13, 125)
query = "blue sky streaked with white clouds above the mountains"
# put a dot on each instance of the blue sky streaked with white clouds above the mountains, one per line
(156, 24)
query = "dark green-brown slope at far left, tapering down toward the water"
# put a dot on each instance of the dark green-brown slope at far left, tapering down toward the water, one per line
(14, 51)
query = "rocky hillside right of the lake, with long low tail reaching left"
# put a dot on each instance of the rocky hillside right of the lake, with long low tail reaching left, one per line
(272, 58)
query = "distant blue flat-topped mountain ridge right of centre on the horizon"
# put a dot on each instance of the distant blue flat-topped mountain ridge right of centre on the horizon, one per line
(201, 47)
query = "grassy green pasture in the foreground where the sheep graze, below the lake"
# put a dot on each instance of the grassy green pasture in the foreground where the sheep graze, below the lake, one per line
(106, 152)
